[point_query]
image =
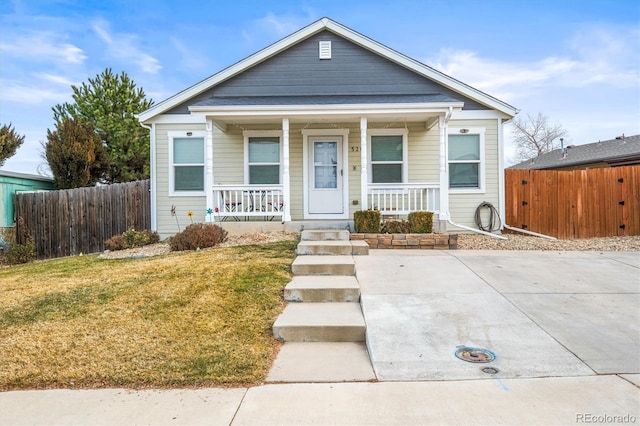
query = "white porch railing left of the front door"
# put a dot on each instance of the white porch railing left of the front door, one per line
(243, 202)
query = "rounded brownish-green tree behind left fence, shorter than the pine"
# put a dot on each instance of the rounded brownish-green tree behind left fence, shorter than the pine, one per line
(75, 154)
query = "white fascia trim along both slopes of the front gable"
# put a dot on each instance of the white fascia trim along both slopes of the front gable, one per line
(345, 32)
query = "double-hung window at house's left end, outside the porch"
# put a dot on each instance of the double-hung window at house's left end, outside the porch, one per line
(187, 163)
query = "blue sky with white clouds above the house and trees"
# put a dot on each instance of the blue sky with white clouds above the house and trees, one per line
(577, 61)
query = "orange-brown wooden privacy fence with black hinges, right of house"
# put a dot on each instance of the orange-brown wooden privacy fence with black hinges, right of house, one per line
(603, 202)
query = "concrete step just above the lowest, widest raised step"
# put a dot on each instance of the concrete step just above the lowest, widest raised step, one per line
(322, 289)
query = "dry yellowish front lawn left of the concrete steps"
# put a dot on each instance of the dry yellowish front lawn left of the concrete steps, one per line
(184, 319)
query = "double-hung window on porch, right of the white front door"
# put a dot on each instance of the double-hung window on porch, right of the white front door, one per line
(388, 156)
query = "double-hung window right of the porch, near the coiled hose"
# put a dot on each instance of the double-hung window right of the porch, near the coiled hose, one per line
(466, 159)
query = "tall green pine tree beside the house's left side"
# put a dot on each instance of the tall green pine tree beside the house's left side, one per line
(110, 102)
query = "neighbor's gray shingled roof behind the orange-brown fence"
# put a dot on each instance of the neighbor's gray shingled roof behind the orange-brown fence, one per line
(617, 150)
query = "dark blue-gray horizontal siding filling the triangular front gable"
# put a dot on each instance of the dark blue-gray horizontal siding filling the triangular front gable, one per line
(352, 70)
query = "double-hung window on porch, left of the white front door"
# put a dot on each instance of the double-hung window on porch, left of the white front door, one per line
(263, 156)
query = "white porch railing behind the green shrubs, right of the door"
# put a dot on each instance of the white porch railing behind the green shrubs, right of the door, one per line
(403, 198)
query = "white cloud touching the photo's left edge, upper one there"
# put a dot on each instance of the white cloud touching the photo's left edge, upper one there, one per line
(43, 47)
